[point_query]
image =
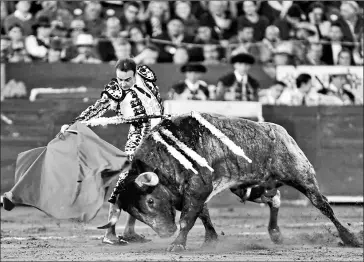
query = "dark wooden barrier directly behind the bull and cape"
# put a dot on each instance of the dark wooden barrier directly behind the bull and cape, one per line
(331, 137)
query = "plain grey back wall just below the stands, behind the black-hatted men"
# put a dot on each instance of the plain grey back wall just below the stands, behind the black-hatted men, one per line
(58, 75)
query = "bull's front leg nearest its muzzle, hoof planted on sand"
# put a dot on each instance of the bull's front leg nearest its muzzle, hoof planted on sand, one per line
(190, 211)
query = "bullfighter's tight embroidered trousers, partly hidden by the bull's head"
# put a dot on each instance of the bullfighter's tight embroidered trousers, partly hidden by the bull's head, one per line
(136, 133)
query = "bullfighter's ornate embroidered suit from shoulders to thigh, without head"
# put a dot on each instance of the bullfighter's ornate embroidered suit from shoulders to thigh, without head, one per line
(141, 100)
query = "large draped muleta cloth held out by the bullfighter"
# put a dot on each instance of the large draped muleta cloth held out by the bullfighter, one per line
(68, 178)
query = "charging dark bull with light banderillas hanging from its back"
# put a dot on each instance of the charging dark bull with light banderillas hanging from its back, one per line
(162, 181)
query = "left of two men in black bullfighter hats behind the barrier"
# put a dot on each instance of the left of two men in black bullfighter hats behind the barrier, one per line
(192, 88)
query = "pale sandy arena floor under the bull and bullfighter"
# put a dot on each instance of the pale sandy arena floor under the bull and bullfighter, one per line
(28, 234)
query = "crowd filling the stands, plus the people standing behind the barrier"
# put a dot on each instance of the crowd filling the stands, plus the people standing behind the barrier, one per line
(273, 33)
